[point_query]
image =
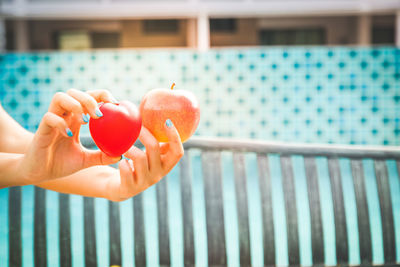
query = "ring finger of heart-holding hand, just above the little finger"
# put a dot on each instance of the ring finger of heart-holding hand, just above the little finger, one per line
(63, 104)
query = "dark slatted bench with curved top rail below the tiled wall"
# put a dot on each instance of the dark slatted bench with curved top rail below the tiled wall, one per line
(228, 202)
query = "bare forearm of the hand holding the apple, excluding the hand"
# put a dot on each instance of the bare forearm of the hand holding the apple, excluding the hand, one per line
(90, 182)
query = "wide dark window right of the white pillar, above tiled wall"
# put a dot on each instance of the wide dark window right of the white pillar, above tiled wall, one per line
(292, 37)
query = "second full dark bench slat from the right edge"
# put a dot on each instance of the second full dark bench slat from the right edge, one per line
(364, 233)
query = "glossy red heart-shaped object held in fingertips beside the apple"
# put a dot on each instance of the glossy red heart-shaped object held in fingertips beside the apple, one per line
(117, 130)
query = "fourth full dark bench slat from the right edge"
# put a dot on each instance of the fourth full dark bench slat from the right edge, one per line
(317, 237)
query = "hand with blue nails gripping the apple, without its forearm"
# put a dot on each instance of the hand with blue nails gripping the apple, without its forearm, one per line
(146, 168)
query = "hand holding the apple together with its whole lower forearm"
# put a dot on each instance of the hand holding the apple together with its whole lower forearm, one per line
(133, 177)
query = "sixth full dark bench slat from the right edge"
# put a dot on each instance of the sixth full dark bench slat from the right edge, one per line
(267, 214)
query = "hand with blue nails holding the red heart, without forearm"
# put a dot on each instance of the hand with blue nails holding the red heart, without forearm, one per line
(56, 150)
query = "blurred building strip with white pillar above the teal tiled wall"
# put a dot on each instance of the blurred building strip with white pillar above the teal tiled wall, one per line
(71, 24)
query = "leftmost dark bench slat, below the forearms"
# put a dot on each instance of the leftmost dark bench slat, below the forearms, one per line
(14, 225)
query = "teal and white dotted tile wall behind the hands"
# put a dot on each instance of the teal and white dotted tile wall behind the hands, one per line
(313, 94)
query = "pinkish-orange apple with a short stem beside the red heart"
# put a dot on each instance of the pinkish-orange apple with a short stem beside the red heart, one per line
(180, 106)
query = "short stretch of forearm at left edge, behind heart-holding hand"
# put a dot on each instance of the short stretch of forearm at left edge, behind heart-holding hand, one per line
(10, 170)
